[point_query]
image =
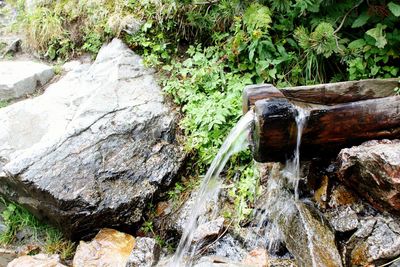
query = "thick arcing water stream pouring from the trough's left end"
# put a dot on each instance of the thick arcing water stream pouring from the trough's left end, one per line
(236, 141)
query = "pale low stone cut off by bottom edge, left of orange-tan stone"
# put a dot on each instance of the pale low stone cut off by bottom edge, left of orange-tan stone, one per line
(39, 260)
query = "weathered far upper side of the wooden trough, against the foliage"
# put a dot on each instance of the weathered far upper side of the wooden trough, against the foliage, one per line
(326, 94)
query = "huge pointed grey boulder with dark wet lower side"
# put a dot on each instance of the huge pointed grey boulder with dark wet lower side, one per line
(94, 148)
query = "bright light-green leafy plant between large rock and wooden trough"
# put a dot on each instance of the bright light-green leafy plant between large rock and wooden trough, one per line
(211, 99)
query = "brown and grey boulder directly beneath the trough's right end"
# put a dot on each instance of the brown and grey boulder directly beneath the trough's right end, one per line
(373, 170)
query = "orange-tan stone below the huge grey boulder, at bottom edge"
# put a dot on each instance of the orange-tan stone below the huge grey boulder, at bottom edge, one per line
(108, 248)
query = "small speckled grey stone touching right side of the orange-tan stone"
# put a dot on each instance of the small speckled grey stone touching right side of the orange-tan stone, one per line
(145, 254)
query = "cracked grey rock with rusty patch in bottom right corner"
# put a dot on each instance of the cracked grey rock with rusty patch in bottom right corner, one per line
(376, 242)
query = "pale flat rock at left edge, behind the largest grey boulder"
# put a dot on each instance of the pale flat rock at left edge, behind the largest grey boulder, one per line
(18, 78)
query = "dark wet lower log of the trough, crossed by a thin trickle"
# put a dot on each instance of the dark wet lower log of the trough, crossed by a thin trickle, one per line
(328, 129)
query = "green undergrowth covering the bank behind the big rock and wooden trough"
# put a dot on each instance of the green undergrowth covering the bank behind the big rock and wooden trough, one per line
(207, 51)
